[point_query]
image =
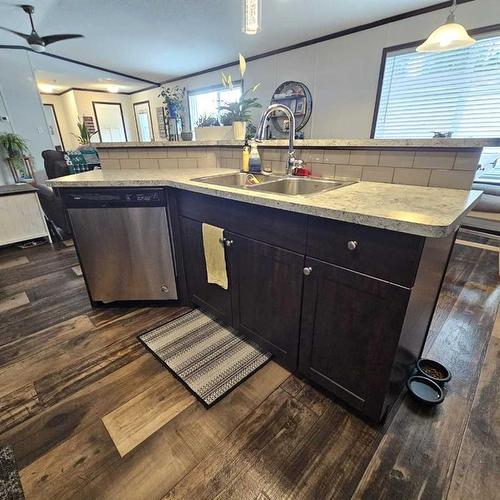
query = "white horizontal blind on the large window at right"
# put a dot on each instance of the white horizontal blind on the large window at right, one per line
(456, 91)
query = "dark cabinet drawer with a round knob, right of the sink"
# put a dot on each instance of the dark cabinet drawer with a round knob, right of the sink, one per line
(381, 253)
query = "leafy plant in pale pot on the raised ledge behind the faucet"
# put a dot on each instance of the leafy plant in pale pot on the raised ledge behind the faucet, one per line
(238, 113)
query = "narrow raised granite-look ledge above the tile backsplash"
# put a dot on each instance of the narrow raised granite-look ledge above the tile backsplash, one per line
(320, 143)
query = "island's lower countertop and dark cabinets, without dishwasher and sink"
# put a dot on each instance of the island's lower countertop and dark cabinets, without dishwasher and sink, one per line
(340, 285)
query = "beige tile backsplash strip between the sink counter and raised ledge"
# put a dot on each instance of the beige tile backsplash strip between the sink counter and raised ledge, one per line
(417, 167)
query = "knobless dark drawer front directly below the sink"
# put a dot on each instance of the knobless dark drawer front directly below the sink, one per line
(277, 227)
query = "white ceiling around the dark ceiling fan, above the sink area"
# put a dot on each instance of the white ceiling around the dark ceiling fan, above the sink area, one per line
(162, 39)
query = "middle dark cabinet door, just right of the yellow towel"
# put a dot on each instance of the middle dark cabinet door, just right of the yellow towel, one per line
(266, 283)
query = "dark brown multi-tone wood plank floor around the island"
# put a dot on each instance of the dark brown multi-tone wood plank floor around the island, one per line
(91, 414)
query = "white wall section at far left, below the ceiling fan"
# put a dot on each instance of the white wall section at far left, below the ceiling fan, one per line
(23, 104)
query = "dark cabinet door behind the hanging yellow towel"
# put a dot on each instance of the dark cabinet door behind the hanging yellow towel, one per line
(213, 297)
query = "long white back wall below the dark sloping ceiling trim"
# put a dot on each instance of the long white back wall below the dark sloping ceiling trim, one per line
(342, 74)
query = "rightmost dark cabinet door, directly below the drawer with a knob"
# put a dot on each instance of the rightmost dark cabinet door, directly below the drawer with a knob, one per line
(350, 330)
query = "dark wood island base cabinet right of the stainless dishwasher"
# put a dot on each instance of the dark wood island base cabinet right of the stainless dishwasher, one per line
(355, 324)
